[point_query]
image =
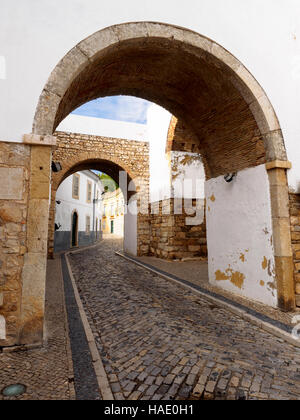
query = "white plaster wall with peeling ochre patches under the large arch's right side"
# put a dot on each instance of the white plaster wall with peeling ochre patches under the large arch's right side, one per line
(239, 235)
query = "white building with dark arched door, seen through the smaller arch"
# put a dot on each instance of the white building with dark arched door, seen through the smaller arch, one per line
(78, 211)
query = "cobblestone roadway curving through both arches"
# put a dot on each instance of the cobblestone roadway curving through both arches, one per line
(159, 340)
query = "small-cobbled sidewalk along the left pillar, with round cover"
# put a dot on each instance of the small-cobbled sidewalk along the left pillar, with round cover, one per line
(45, 372)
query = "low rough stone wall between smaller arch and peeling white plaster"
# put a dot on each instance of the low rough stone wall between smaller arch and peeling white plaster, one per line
(171, 237)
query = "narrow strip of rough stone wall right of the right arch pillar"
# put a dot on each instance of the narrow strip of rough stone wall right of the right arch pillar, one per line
(295, 232)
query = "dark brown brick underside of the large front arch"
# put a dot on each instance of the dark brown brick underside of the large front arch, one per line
(190, 86)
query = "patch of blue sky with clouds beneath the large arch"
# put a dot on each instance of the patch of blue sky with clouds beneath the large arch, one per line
(120, 108)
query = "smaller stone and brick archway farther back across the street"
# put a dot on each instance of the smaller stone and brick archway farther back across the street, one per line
(127, 166)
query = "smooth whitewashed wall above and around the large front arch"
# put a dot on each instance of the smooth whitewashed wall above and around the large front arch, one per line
(263, 35)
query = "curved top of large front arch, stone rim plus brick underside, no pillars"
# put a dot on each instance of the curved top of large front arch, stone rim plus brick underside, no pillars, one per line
(202, 90)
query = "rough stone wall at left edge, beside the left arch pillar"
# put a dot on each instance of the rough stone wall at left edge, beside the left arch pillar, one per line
(14, 189)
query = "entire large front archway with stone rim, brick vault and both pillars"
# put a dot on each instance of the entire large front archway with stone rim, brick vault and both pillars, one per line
(200, 83)
